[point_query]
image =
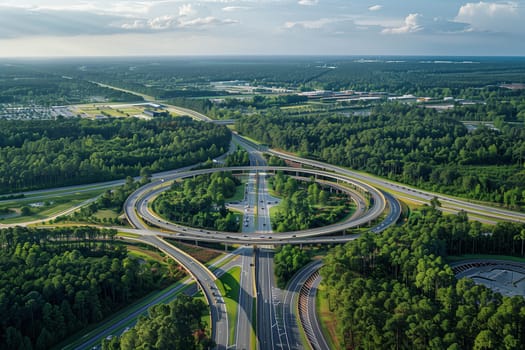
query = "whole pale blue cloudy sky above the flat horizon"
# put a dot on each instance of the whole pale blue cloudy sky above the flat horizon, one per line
(30, 28)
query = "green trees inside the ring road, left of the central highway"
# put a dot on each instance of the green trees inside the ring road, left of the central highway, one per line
(200, 202)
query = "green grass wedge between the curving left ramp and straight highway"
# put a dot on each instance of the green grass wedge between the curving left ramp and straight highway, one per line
(229, 286)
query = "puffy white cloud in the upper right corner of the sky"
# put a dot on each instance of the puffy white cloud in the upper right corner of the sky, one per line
(490, 16)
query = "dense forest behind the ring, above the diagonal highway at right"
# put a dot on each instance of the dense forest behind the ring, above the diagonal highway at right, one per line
(408, 144)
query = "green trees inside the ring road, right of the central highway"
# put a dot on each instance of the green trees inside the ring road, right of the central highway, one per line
(305, 205)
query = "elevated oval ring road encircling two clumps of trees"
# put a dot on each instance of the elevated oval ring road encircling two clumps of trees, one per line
(137, 210)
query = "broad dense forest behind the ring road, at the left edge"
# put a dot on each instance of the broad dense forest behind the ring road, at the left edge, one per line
(74, 151)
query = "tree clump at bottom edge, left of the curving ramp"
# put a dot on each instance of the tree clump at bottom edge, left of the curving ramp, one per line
(176, 325)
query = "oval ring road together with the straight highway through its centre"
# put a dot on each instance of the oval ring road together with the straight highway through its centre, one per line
(274, 328)
